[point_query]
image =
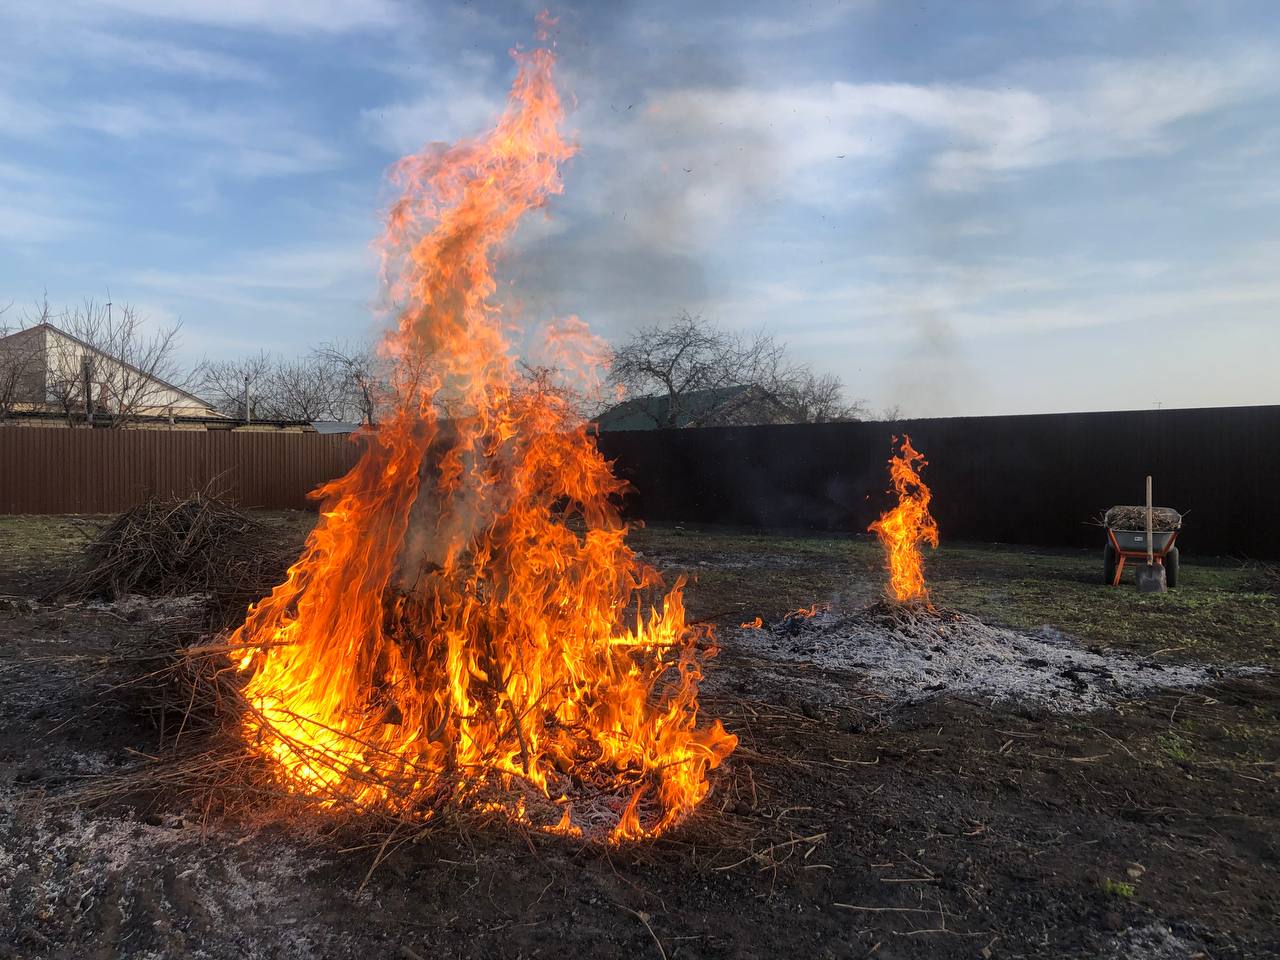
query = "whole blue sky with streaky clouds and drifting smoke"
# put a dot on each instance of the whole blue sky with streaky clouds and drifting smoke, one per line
(961, 208)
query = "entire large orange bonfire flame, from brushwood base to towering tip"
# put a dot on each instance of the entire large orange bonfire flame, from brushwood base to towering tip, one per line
(455, 628)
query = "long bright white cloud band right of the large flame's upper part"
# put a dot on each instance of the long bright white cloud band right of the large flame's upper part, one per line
(1067, 113)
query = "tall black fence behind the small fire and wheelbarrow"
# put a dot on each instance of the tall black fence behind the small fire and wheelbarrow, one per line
(1017, 479)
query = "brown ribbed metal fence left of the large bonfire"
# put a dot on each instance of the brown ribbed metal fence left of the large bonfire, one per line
(103, 472)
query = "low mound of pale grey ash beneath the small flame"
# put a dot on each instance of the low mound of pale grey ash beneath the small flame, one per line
(912, 652)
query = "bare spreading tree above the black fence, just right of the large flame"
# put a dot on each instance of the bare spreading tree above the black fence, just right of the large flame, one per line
(685, 359)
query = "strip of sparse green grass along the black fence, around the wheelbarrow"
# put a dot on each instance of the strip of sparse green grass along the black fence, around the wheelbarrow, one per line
(1218, 614)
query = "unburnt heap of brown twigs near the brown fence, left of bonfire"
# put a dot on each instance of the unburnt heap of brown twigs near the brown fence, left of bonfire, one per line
(180, 547)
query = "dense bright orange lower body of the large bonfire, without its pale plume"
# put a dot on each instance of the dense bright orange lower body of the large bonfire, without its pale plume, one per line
(499, 671)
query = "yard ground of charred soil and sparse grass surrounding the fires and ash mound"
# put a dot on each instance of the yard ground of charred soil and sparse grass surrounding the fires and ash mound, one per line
(845, 826)
